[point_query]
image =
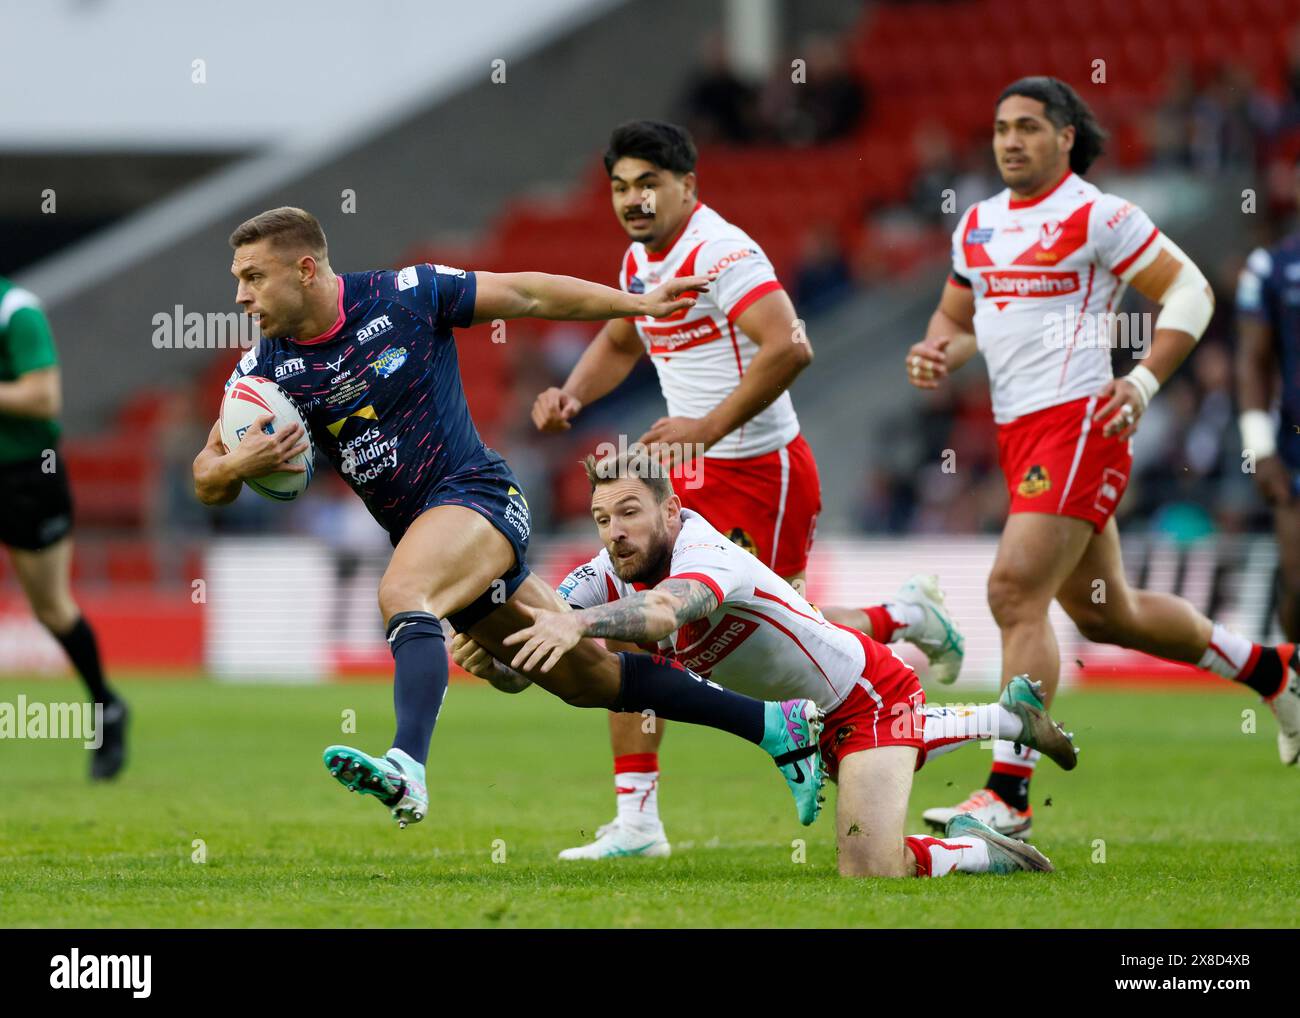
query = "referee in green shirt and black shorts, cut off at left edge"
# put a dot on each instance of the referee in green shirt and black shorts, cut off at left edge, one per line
(36, 504)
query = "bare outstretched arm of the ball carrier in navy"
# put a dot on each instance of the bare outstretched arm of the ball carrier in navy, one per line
(565, 298)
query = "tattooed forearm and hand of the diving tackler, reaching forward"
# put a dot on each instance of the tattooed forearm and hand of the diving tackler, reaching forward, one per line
(645, 617)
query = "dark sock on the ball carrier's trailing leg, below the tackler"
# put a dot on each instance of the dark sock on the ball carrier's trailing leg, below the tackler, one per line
(655, 683)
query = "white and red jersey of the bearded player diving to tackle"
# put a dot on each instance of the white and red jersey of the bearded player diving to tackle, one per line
(762, 640)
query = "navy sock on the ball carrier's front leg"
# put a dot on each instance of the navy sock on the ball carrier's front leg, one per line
(419, 682)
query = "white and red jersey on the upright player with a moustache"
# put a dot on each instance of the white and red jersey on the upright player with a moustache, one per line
(700, 353)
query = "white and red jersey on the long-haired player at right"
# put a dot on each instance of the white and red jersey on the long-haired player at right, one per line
(1043, 272)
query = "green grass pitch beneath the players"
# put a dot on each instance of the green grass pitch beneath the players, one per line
(1176, 817)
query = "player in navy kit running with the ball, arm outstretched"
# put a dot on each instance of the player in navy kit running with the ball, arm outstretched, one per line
(370, 361)
